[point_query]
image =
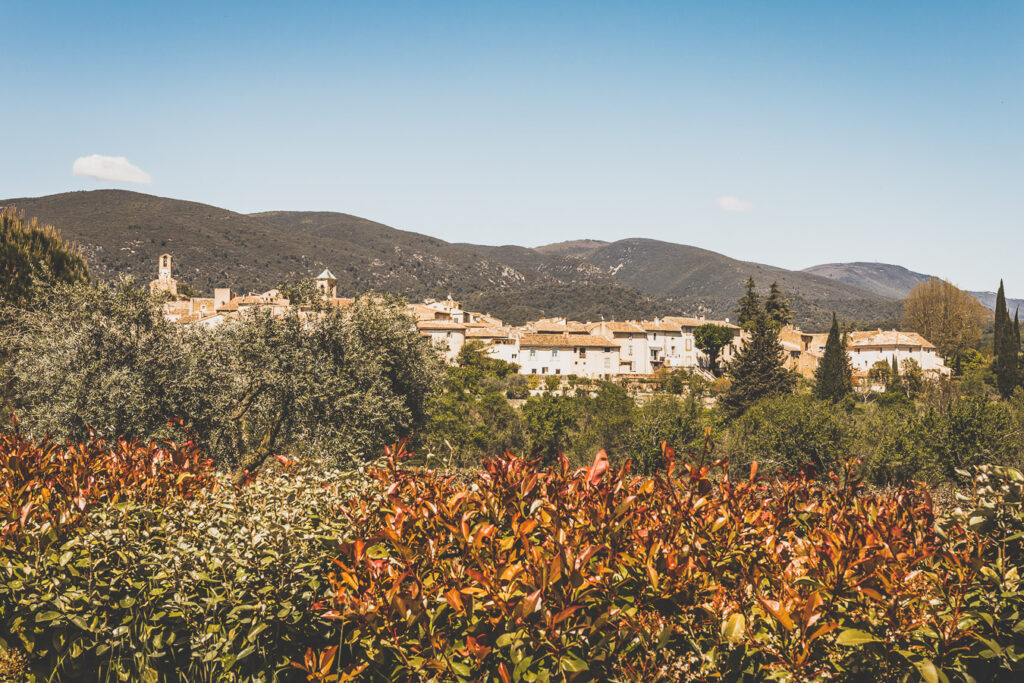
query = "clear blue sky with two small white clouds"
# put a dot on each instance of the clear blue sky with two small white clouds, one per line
(790, 134)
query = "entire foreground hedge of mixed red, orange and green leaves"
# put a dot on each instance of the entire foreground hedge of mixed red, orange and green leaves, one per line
(136, 562)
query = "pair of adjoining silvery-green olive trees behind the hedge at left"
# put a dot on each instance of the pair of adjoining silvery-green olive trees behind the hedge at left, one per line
(336, 383)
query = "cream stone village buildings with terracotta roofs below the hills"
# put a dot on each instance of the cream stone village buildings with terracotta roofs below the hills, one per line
(561, 348)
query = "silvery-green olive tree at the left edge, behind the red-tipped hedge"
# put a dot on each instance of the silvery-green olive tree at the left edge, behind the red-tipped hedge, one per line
(102, 358)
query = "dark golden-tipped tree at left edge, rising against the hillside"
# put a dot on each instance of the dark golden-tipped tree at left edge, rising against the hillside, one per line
(31, 252)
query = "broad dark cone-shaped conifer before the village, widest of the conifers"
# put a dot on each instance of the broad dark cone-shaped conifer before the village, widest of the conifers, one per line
(757, 371)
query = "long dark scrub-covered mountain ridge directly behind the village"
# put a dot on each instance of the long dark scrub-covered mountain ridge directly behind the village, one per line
(123, 233)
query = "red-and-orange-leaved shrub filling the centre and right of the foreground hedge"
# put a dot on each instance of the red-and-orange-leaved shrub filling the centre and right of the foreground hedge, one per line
(533, 574)
